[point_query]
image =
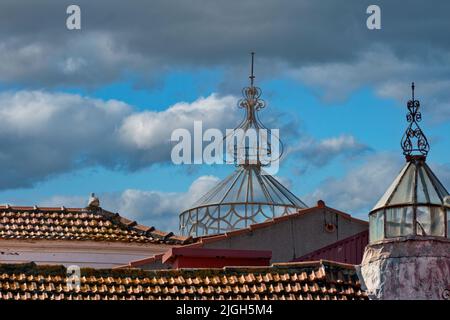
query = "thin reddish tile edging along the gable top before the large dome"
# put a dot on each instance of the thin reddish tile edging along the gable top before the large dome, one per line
(199, 241)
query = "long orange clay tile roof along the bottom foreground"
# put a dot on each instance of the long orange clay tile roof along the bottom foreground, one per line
(320, 280)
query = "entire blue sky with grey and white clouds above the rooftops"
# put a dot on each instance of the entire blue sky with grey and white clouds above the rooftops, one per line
(92, 110)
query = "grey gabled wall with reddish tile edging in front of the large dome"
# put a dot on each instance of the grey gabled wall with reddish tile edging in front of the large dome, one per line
(288, 237)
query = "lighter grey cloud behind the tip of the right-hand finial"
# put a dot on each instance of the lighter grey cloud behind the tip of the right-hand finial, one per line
(389, 74)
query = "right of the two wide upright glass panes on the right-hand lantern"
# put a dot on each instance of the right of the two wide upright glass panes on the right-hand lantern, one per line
(430, 221)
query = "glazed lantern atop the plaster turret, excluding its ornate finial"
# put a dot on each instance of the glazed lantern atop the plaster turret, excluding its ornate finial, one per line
(414, 205)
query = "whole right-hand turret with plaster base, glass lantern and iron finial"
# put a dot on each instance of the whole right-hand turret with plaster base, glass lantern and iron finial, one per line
(408, 256)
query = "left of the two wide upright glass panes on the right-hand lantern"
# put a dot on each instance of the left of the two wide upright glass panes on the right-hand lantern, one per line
(399, 222)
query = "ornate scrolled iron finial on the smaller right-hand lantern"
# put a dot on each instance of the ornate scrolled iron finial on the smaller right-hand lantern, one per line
(421, 146)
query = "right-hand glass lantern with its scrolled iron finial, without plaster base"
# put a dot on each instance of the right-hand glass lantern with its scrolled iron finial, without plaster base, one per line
(416, 202)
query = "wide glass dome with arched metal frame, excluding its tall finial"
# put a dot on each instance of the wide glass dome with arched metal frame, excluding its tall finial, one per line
(245, 197)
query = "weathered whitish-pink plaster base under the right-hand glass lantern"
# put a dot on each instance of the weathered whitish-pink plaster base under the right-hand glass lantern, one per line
(407, 269)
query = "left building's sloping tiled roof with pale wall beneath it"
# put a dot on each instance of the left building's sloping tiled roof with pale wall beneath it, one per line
(88, 237)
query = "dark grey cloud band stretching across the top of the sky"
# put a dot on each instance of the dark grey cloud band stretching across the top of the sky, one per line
(149, 39)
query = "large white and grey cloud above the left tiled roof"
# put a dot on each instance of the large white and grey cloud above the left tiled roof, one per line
(44, 134)
